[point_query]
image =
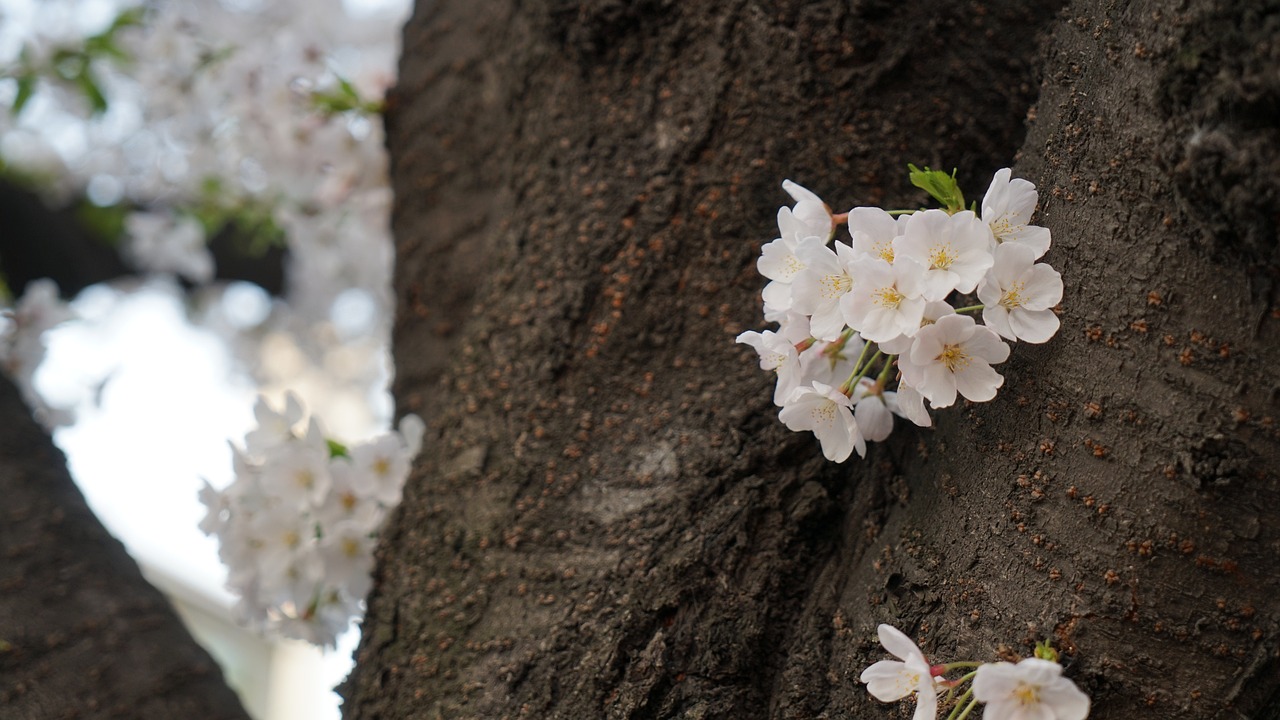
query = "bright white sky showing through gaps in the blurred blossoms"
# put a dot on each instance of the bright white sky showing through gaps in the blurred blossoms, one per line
(157, 399)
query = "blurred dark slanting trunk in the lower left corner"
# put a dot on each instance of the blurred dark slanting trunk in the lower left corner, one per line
(83, 635)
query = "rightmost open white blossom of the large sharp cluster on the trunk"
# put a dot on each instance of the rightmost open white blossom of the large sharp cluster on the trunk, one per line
(1020, 294)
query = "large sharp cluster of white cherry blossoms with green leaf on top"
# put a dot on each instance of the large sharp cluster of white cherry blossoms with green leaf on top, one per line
(883, 322)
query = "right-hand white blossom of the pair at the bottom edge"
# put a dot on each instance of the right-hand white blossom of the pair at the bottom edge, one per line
(1034, 690)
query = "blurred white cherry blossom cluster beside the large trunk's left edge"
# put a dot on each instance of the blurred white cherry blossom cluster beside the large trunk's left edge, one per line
(298, 526)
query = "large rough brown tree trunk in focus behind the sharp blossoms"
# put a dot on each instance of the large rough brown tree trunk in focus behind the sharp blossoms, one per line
(610, 521)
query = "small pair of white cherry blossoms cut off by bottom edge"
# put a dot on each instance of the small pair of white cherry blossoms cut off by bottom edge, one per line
(1031, 690)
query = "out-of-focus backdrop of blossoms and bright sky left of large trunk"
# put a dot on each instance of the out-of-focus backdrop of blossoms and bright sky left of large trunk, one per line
(162, 133)
